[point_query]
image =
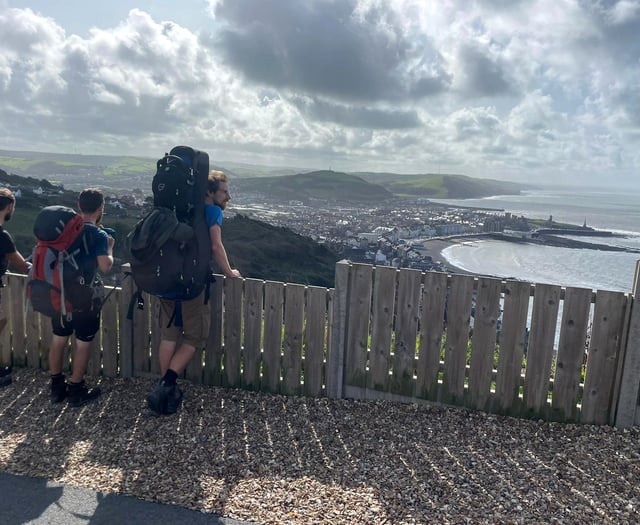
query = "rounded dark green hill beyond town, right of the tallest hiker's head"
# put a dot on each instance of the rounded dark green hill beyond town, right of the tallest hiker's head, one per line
(327, 186)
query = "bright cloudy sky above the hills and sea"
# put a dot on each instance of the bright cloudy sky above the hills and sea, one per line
(524, 90)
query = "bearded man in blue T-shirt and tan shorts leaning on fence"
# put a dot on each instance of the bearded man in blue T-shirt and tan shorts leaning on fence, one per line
(166, 397)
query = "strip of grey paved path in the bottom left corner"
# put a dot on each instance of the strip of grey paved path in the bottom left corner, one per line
(38, 501)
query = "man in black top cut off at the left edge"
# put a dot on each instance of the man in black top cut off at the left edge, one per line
(9, 255)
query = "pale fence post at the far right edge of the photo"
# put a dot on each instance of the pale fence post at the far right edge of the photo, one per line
(630, 382)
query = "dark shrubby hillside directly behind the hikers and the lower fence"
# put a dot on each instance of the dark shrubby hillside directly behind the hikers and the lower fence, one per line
(257, 249)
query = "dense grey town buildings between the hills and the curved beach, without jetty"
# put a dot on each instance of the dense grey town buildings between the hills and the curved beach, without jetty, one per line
(393, 233)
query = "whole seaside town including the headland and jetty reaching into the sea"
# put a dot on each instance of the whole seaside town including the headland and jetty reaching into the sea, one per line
(409, 232)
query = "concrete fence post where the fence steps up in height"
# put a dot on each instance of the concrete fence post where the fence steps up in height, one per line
(337, 329)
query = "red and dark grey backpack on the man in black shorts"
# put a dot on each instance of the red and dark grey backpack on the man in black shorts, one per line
(58, 284)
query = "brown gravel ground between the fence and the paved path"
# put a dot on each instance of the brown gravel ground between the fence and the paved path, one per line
(272, 459)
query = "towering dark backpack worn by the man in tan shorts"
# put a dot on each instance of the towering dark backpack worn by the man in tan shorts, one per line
(169, 248)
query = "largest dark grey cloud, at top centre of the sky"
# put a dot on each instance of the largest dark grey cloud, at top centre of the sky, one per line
(322, 47)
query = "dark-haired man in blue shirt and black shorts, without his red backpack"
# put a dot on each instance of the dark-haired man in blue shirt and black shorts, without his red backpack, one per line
(84, 324)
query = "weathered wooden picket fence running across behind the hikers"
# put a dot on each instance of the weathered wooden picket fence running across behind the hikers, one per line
(507, 347)
